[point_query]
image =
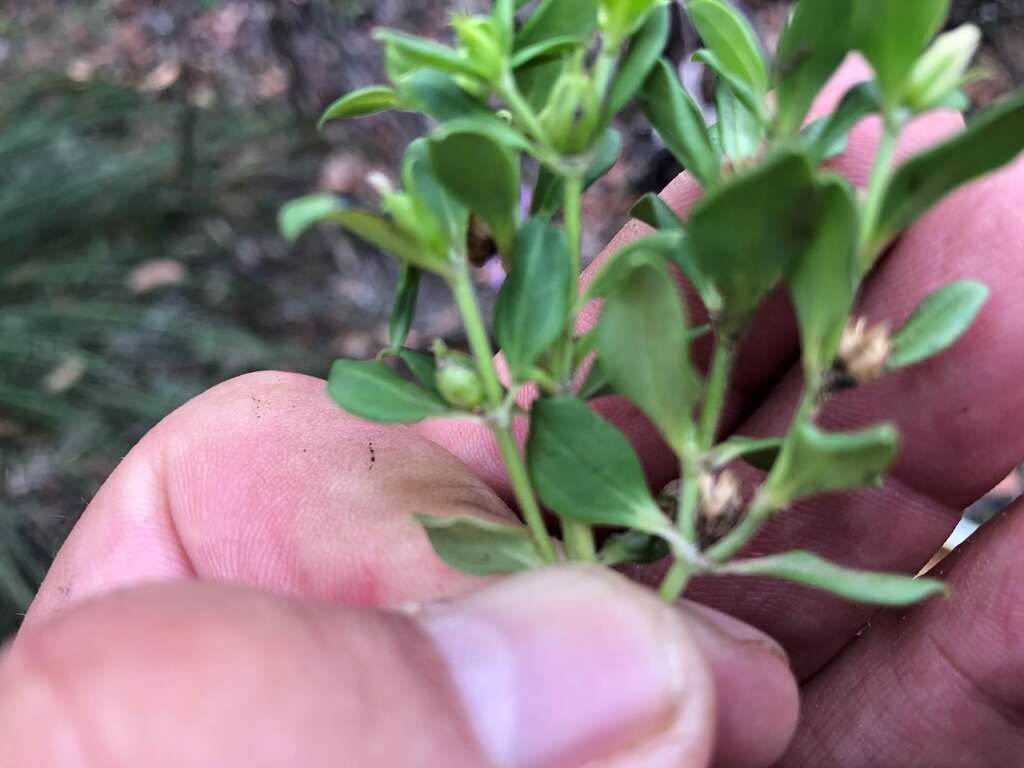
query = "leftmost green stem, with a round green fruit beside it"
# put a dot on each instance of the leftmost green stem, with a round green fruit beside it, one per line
(480, 344)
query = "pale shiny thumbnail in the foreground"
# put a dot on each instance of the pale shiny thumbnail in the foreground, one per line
(572, 666)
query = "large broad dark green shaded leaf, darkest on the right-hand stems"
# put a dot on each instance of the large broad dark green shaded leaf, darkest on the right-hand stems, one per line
(745, 235)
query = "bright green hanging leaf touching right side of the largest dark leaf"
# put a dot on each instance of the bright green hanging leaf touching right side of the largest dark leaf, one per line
(824, 279)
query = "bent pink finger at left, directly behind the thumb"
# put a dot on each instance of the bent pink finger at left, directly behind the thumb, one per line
(266, 482)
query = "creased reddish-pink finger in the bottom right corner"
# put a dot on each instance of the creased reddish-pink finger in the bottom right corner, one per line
(943, 685)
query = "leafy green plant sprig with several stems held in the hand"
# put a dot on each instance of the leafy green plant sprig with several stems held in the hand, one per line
(531, 92)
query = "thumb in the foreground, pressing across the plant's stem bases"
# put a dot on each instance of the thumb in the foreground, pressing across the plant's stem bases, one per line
(559, 668)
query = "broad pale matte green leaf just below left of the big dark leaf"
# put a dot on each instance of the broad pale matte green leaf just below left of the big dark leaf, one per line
(645, 351)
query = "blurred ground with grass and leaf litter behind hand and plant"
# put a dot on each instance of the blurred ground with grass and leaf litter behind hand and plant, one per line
(146, 148)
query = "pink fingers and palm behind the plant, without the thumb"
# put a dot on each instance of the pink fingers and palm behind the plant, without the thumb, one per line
(264, 483)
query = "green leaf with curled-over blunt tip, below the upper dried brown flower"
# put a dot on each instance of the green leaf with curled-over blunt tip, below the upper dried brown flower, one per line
(816, 462)
